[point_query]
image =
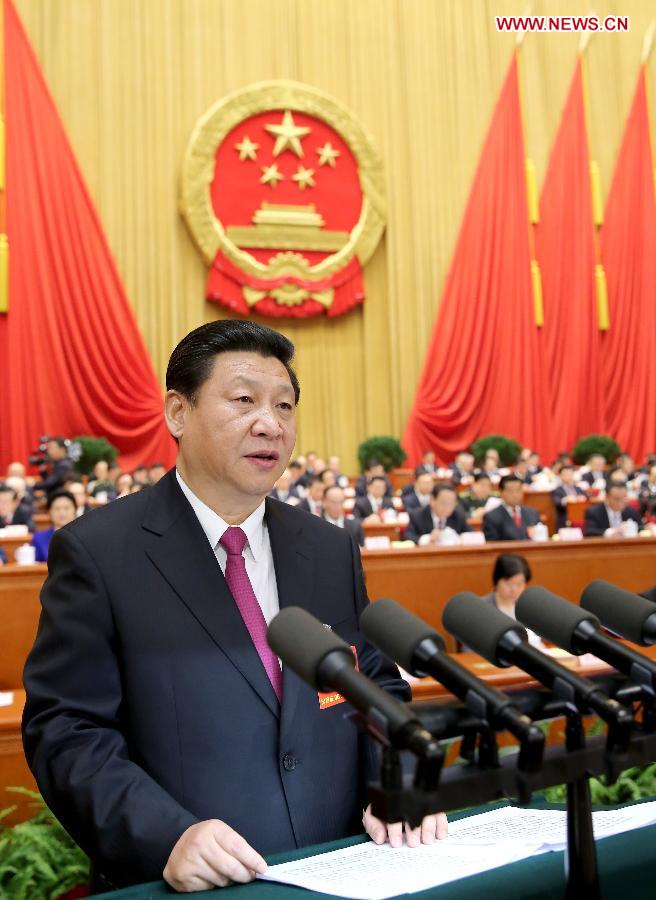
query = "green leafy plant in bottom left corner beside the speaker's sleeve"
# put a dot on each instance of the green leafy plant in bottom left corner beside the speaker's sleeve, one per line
(38, 860)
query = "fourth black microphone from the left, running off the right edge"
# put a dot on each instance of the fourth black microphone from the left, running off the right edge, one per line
(577, 630)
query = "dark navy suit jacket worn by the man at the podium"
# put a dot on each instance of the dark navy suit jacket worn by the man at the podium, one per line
(148, 708)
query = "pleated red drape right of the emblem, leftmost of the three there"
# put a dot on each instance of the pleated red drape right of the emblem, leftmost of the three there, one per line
(482, 371)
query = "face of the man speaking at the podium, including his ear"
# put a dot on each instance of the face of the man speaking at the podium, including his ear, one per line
(242, 429)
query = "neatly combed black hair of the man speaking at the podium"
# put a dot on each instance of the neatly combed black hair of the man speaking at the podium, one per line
(192, 361)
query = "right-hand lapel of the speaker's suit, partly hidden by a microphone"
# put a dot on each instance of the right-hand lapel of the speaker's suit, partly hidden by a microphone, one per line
(294, 566)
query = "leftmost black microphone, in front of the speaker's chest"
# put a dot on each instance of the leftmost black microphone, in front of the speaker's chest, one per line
(323, 660)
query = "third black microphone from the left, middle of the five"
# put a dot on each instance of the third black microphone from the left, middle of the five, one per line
(504, 642)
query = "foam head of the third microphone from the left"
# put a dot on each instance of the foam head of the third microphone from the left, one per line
(479, 625)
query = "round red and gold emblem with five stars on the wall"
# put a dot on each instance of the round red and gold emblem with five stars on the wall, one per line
(282, 192)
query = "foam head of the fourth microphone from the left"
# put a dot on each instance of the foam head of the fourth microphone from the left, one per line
(552, 617)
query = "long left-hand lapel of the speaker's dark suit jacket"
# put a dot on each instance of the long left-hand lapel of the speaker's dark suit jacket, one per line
(187, 562)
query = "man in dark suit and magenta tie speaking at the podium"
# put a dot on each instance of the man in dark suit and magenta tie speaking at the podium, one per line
(159, 725)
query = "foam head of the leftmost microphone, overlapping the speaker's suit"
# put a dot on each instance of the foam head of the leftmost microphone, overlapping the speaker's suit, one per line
(302, 643)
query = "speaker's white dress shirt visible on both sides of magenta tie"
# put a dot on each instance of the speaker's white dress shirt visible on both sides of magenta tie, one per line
(257, 550)
